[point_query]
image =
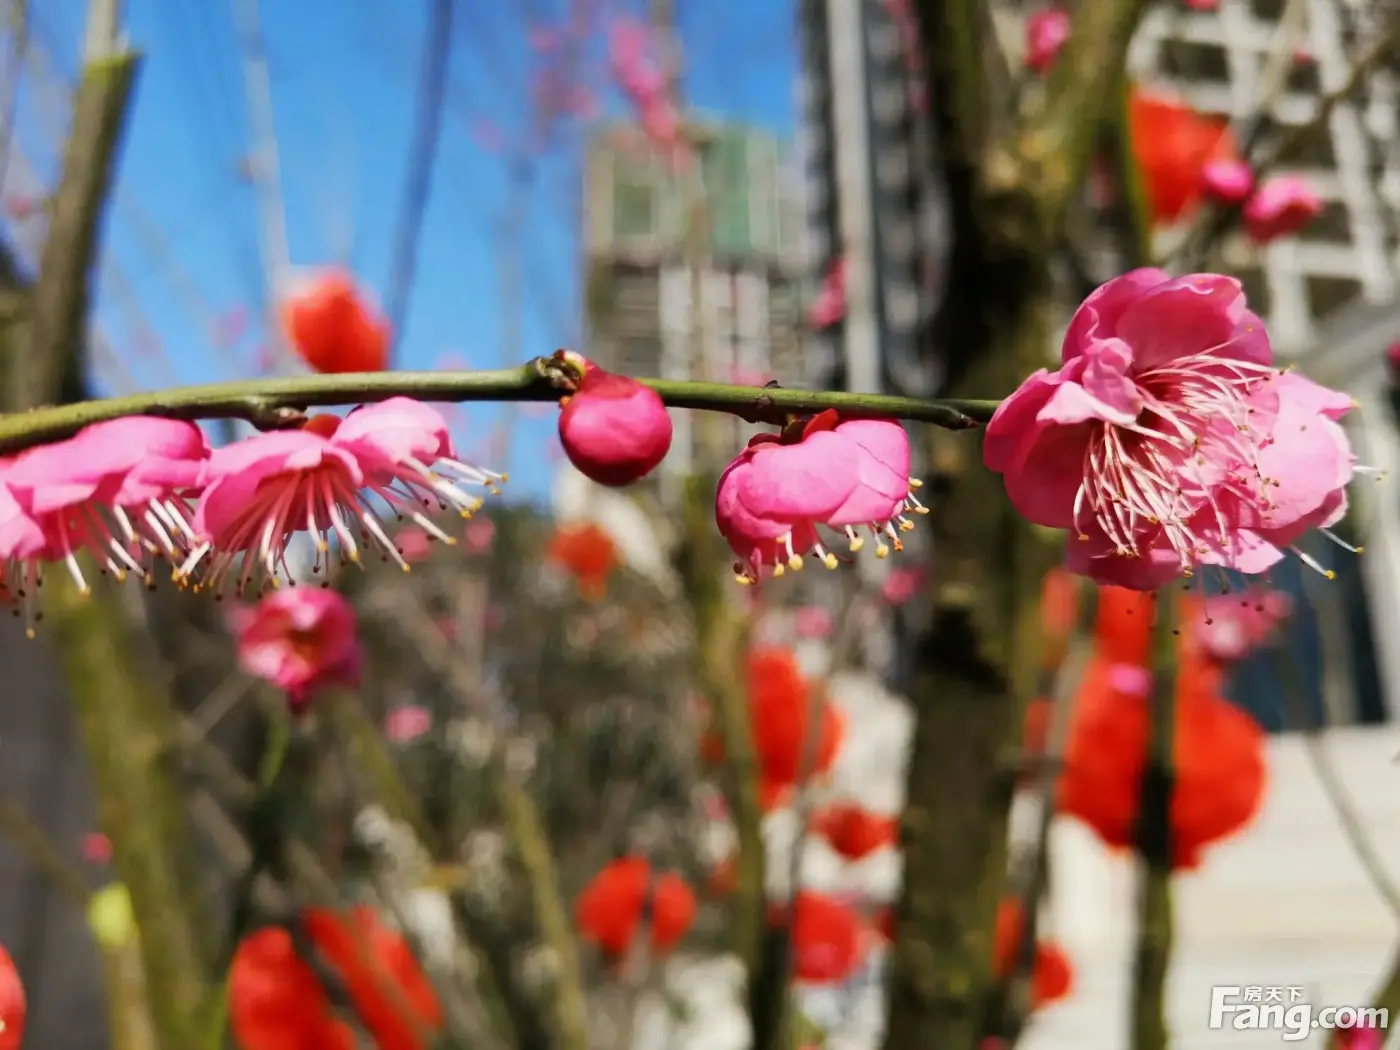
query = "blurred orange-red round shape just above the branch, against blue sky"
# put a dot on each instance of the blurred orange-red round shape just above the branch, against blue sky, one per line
(332, 327)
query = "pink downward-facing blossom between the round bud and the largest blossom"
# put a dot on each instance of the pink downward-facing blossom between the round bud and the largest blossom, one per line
(842, 475)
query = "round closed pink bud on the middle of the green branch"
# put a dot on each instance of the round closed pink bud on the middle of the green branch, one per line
(614, 430)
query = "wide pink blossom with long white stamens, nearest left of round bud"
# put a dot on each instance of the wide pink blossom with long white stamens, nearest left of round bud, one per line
(265, 489)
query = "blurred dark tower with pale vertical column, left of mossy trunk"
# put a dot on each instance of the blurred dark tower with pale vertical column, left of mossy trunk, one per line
(873, 202)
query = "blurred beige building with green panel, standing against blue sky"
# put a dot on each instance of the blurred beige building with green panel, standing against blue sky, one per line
(639, 310)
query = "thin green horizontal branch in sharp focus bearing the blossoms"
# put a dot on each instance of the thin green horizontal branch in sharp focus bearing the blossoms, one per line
(281, 402)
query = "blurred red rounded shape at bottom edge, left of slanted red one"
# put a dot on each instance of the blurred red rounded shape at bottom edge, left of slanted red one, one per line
(276, 1002)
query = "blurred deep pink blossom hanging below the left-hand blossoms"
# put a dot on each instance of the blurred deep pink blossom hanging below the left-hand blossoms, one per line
(300, 639)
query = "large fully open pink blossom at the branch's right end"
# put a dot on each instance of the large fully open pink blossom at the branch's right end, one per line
(1167, 439)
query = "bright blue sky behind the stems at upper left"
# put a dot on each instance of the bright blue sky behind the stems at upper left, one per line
(183, 250)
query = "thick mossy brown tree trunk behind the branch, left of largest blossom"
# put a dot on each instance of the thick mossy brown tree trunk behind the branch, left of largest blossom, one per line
(978, 664)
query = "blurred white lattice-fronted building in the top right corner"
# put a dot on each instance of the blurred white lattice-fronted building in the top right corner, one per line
(1234, 59)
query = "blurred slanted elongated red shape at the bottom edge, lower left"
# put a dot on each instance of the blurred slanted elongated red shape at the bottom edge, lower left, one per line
(386, 983)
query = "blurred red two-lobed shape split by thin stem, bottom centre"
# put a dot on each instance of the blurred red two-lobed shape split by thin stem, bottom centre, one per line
(611, 908)
